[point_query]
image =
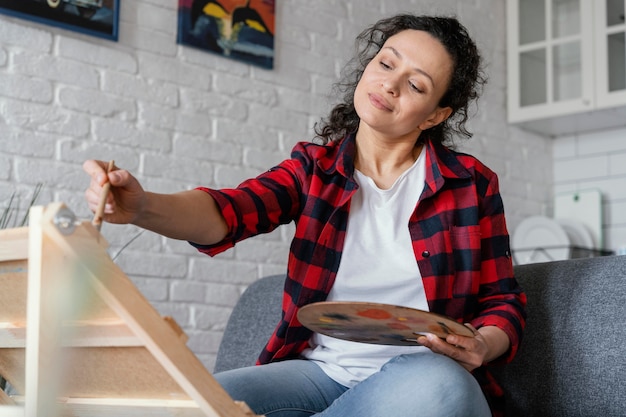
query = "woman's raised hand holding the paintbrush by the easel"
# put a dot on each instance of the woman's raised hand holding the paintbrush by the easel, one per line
(126, 197)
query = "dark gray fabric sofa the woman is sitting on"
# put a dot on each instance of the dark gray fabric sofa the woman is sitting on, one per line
(572, 361)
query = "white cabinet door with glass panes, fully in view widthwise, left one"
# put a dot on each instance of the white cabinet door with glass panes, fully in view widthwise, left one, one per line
(550, 58)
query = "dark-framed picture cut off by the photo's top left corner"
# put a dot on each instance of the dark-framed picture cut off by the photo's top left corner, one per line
(93, 17)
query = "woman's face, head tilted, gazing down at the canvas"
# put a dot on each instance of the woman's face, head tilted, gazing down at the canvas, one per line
(399, 91)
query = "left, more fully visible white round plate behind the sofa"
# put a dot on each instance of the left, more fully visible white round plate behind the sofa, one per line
(540, 239)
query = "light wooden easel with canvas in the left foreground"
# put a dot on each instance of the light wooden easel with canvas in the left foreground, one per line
(95, 345)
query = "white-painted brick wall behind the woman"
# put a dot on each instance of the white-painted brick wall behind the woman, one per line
(178, 117)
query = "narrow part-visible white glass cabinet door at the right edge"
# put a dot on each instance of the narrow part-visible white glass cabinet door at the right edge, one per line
(610, 53)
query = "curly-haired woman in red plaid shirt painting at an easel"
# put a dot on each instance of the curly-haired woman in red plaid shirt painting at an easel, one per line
(384, 212)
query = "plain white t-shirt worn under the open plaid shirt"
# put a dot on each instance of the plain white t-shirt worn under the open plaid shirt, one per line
(378, 265)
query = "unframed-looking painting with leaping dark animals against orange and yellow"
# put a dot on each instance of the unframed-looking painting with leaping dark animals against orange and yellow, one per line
(237, 29)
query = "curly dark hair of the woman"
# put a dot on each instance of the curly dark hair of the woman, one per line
(465, 84)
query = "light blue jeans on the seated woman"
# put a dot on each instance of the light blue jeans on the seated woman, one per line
(419, 384)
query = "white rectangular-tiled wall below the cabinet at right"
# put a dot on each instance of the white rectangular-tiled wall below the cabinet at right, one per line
(596, 161)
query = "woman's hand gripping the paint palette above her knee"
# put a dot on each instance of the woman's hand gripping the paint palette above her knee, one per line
(471, 352)
